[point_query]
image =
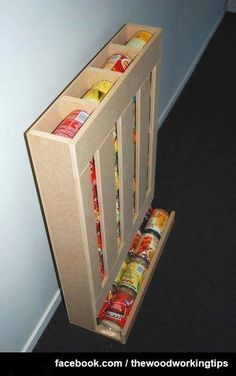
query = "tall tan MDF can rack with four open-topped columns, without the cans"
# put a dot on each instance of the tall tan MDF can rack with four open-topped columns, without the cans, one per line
(62, 172)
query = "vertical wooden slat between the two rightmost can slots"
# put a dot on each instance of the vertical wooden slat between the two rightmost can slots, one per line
(142, 126)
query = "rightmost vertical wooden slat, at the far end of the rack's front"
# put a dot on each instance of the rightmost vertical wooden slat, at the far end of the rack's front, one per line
(153, 128)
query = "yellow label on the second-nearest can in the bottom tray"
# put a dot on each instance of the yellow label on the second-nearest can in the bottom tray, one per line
(133, 276)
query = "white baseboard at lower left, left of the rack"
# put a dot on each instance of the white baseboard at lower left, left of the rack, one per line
(43, 322)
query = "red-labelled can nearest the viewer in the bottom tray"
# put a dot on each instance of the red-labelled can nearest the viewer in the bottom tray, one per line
(117, 311)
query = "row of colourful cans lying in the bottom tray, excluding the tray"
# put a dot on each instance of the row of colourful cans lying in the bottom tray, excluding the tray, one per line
(117, 306)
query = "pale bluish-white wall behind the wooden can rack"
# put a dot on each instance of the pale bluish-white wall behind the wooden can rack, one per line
(43, 45)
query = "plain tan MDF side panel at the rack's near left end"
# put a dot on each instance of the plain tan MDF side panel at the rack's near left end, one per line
(54, 174)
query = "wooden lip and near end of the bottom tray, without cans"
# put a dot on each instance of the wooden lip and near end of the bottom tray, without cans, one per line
(123, 336)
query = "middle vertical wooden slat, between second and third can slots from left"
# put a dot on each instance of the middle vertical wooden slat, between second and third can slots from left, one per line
(126, 169)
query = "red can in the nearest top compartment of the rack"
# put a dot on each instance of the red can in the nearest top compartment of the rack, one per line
(71, 124)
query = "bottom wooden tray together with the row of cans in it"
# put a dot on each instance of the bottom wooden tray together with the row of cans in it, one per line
(118, 312)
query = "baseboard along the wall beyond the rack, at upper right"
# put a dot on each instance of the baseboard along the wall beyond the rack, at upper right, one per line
(189, 72)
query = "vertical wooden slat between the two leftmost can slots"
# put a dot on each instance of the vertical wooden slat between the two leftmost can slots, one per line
(104, 162)
